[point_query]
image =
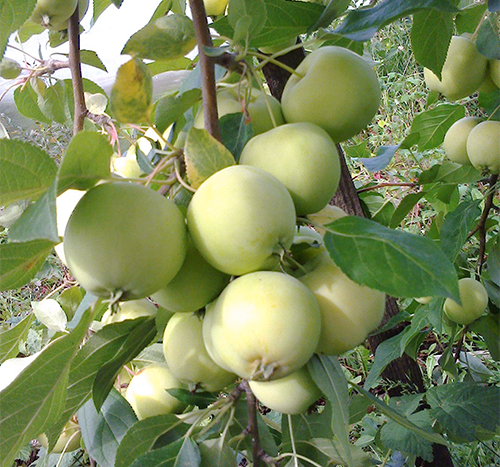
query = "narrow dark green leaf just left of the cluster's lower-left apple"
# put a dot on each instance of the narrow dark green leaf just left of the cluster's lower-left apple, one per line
(139, 337)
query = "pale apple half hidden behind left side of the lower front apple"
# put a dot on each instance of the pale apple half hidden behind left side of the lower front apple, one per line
(187, 357)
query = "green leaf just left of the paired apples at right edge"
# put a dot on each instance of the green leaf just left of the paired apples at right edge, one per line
(433, 124)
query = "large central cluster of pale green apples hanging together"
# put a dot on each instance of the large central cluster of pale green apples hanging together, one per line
(253, 293)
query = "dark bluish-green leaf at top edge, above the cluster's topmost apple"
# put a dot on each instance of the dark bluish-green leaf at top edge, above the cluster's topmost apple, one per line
(361, 24)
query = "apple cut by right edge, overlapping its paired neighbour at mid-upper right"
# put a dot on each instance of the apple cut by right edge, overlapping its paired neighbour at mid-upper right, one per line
(483, 146)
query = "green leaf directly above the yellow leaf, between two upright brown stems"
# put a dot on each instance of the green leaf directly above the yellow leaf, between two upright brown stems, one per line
(166, 38)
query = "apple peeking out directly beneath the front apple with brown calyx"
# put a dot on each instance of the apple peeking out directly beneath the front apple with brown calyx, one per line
(292, 395)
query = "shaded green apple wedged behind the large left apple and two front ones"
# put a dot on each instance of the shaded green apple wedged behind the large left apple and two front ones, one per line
(196, 284)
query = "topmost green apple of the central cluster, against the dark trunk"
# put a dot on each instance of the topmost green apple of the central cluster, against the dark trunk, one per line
(339, 91)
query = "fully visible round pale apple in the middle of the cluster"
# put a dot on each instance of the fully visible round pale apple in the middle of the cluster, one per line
(241, 219)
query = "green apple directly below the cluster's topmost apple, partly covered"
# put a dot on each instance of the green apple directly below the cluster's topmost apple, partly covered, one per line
(303, 157)
